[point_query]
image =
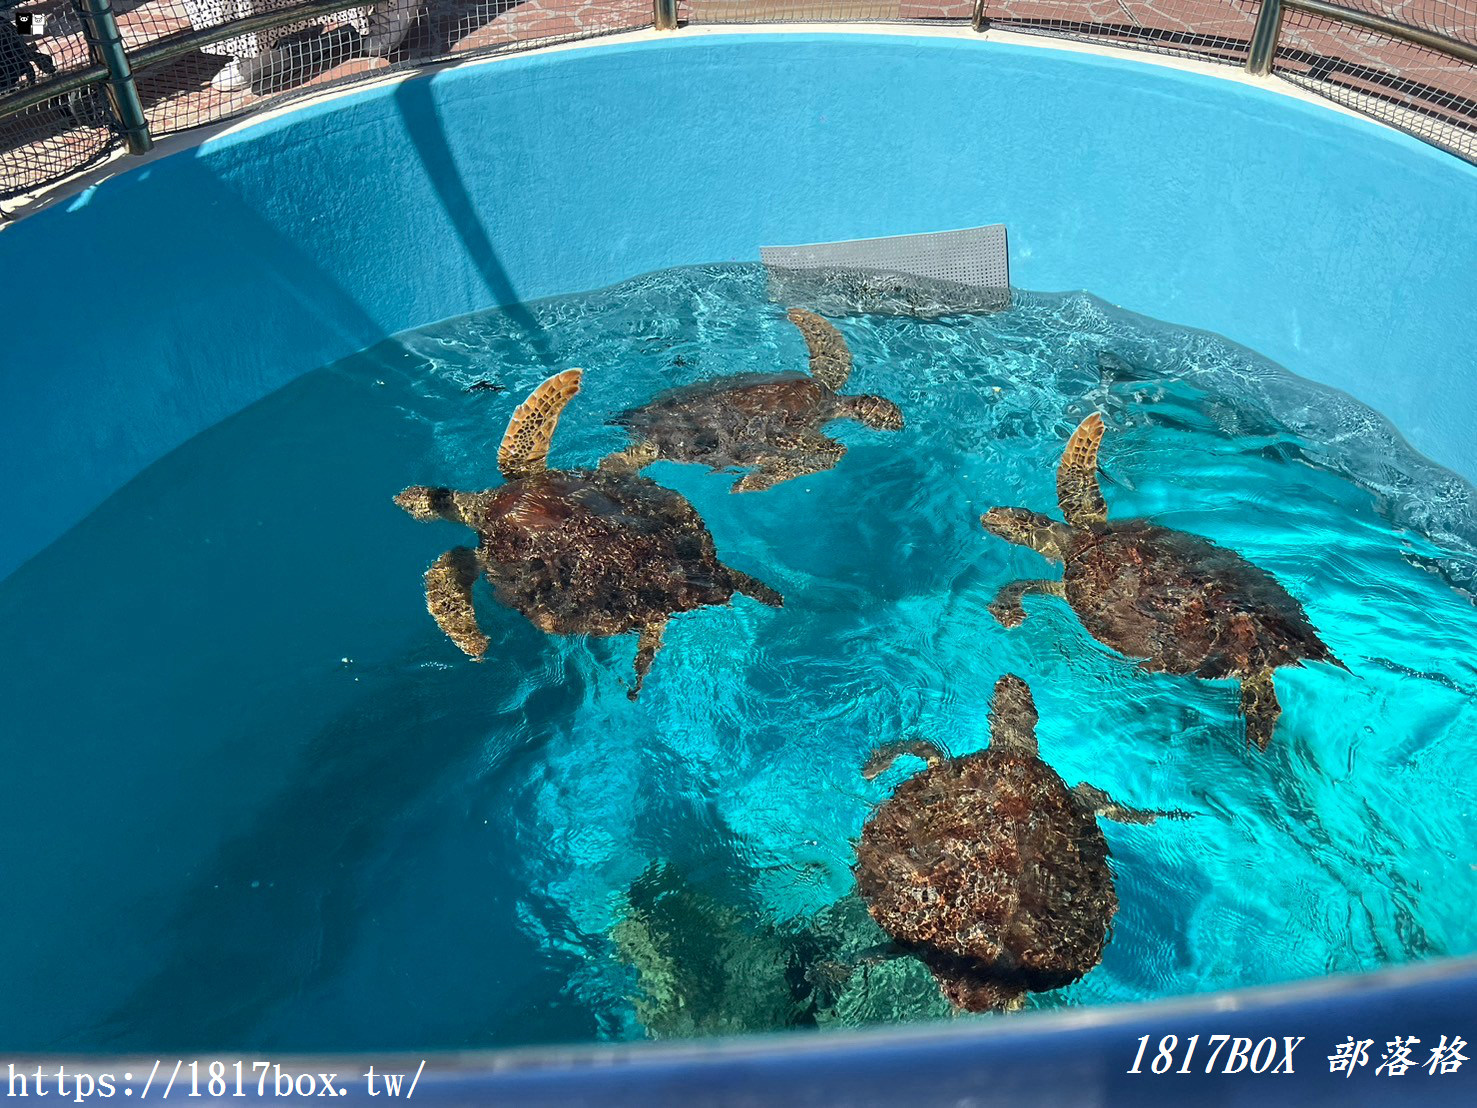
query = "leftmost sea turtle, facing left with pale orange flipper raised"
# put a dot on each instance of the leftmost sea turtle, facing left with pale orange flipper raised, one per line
(578, 552)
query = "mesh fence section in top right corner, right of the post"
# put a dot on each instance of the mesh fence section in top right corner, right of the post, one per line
(1425, 92)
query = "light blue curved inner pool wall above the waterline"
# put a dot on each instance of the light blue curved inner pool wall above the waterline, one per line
(169, 298)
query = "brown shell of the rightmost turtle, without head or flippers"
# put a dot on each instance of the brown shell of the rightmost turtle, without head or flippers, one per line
(1185, 603)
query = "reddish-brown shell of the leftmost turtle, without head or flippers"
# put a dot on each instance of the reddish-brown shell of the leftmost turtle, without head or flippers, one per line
(597, 553)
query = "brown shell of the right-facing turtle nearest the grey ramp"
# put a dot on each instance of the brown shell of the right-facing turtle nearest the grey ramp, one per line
(733, 422)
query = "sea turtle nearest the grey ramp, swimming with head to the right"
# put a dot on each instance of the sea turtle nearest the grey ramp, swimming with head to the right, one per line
(769, 422)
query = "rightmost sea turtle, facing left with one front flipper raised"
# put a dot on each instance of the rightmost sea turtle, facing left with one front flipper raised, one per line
(1176, 601)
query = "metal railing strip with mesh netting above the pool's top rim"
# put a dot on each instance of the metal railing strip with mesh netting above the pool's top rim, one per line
(106, 76)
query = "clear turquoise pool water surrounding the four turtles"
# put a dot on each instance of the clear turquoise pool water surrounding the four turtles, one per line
(255, 798)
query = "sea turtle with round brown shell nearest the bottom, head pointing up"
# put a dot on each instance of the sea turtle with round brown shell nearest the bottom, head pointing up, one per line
(989, 868)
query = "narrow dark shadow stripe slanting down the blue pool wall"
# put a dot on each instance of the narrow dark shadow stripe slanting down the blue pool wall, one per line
(423, 126)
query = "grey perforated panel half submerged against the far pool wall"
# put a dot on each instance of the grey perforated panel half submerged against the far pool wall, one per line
(922, 276)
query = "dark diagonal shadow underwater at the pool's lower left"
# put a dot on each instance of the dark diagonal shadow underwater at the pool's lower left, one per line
(275, 915)
